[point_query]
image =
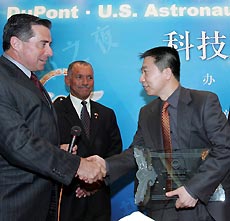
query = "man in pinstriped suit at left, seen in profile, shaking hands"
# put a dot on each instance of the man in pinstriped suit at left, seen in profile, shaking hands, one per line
(31, 161)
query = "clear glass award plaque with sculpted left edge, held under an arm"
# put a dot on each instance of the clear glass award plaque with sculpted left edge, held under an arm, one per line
(154, 173)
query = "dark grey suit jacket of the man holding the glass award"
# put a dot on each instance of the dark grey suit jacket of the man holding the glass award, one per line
(200, 124)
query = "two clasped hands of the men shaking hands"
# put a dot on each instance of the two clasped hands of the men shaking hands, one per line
(91, 169)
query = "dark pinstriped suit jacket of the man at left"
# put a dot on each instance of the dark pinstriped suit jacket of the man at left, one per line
(30, 157)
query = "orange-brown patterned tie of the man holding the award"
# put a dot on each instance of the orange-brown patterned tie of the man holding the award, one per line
(167, 143)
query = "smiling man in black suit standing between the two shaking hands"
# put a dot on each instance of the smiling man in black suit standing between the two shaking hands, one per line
(104, 139)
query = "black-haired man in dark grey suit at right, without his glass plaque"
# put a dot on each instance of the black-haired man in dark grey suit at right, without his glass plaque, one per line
(196, 121)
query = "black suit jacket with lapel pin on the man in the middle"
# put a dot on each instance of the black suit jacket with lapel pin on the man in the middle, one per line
(105, 140)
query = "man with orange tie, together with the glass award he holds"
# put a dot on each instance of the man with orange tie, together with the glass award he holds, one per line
(185, 141)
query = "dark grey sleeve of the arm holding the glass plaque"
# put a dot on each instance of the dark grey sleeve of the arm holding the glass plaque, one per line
(214, 169)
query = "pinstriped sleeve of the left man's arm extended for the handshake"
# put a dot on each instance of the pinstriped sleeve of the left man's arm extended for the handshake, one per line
(29, 137)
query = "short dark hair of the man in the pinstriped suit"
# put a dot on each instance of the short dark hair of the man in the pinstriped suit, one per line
(20, 25)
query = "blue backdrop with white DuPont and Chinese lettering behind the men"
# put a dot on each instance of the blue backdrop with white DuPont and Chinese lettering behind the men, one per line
(111, 35)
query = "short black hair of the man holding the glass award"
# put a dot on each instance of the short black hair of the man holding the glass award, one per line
(165, 57)
